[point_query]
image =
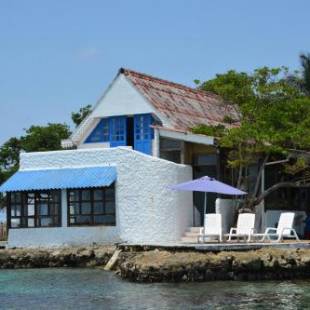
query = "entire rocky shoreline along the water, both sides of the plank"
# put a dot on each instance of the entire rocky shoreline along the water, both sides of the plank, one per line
(162, 265)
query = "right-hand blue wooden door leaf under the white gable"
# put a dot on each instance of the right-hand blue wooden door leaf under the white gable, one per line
(143, 133)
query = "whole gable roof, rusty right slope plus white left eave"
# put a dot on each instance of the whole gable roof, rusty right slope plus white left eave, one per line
(179, 107)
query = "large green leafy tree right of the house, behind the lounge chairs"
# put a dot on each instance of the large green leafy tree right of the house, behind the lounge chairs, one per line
(275, 121)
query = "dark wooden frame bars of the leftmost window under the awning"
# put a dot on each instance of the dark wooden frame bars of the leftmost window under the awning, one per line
(37, 217)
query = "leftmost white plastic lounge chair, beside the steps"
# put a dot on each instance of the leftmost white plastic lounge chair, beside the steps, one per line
(212, 227)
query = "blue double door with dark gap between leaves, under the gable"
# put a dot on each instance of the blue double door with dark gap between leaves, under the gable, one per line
(133, 131)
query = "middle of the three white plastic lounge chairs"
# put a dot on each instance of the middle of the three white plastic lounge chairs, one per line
(244, 229)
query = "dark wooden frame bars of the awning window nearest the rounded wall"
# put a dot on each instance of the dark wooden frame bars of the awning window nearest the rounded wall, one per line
(92, 201)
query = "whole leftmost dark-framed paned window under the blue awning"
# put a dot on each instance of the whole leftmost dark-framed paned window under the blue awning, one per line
(34, 209)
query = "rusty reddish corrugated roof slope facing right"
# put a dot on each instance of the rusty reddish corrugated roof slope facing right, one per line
(182, 106)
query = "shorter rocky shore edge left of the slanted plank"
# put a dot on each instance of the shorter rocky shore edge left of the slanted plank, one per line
(89, 256)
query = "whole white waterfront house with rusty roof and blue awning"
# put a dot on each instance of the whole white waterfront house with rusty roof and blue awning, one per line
(111, 184)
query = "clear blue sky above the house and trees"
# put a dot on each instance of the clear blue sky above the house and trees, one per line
(57, 56)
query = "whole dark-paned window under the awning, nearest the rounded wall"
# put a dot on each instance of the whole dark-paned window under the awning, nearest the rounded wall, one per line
(91, 206)
